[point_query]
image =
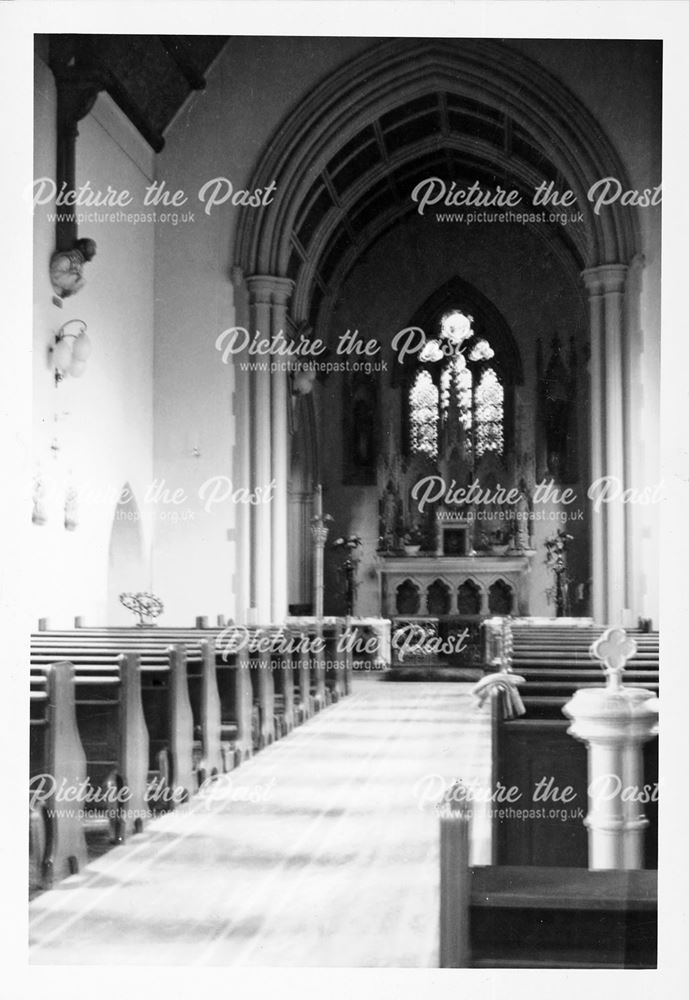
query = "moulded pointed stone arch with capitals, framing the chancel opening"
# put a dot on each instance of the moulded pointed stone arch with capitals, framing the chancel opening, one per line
(379, 81)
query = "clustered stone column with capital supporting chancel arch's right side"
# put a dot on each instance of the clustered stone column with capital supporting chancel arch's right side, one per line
(606, 285)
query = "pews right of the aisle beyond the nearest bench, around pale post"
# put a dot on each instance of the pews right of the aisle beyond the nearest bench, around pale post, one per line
(554, 659)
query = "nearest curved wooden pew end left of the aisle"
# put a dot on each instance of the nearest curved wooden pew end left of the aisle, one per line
(58, 842)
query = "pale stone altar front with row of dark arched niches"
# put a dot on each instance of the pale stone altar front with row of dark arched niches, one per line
(464, 586)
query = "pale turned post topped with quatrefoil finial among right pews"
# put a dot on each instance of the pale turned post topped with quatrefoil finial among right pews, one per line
(614, 722)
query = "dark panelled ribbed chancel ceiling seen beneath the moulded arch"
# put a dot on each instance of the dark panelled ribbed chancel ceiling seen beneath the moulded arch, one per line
(367, 185)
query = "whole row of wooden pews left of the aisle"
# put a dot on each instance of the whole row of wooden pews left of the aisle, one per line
(126, 722)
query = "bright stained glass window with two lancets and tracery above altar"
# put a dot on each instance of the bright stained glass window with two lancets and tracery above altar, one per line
(465, 390)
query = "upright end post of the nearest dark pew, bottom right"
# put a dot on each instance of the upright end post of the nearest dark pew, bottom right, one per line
(455, 877)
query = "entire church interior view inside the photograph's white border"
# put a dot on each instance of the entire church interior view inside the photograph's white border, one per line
(346, 397)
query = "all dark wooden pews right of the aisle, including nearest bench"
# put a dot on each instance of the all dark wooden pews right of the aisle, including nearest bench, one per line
(537, 905)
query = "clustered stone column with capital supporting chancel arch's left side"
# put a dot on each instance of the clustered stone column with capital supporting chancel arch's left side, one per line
(269, 445)
